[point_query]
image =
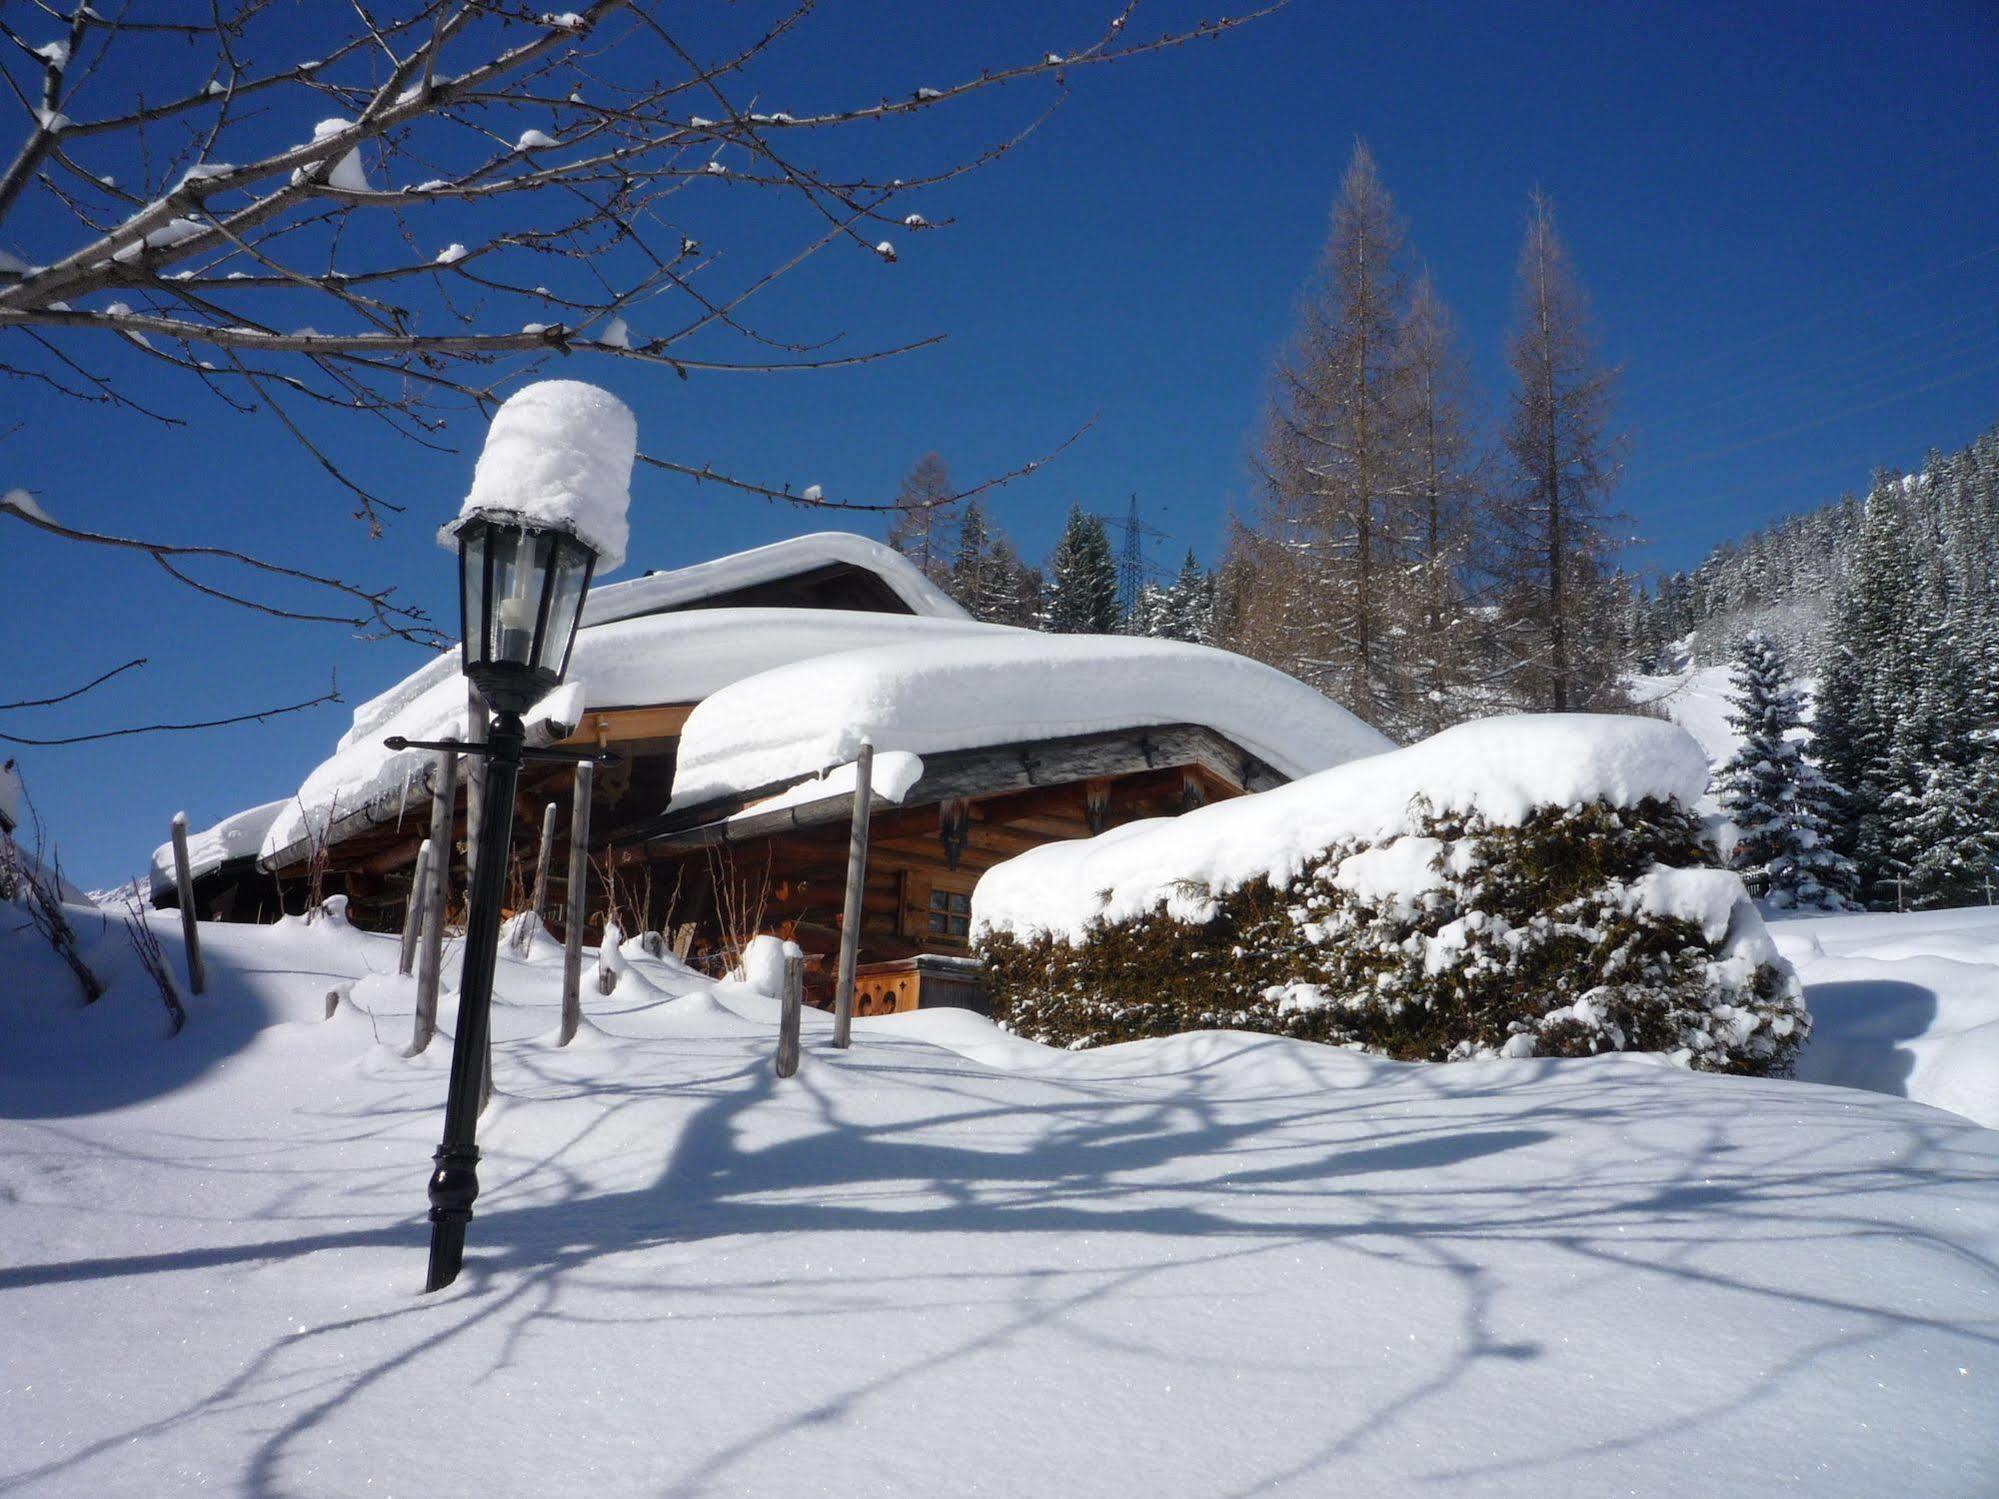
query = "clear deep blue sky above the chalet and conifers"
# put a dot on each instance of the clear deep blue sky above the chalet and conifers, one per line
(1784, 215)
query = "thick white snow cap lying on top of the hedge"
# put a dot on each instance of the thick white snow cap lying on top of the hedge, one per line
(1498, 766)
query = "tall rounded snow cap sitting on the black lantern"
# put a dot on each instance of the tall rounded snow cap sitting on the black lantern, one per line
(559, 457)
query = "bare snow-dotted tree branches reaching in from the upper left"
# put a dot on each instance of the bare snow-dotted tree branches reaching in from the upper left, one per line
(389, 217)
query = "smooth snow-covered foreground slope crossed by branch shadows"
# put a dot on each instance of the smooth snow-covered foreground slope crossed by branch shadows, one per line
(955, 1262)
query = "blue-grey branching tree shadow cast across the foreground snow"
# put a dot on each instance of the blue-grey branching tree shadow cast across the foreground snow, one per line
(1424, 1170)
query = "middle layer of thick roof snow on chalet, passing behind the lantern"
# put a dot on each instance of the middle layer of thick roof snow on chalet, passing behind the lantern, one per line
(659, 659)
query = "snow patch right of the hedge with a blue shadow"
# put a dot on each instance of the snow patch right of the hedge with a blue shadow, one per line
(1904, 1004)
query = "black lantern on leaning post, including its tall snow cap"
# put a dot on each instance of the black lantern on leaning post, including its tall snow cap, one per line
(547, 509)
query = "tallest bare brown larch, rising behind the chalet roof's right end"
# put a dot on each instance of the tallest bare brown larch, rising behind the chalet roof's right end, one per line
(1336, 467)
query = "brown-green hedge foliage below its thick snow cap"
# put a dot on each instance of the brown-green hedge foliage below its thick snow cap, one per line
(1580, 930)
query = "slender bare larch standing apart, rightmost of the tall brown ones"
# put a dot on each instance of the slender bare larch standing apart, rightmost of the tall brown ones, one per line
(1554, 527)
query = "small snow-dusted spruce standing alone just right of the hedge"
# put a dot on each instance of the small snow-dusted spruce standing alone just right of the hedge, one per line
(1780, 802)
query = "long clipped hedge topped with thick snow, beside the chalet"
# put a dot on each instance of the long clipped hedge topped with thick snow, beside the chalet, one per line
(1528, 886)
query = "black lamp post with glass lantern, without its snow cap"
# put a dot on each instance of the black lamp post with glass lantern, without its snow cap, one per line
(523, 595)
